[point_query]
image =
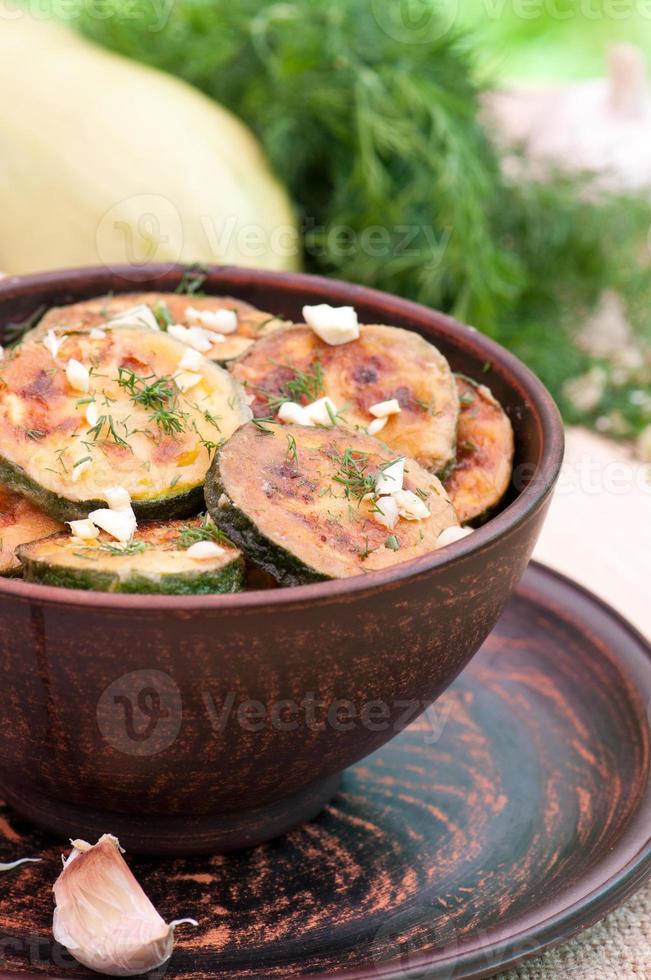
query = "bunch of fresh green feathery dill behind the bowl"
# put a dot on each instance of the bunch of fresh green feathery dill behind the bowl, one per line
(397, 184)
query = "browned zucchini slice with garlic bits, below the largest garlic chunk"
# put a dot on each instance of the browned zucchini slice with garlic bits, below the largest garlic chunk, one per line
(293, 364)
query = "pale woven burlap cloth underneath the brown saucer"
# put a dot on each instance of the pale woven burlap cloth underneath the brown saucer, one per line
(612, 557)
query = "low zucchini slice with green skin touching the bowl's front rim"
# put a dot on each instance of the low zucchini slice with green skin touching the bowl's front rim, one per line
(155, 561)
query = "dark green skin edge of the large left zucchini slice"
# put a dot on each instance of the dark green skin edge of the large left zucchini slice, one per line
(183, 504)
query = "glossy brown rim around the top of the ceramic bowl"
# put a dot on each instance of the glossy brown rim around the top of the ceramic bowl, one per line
(460, 335)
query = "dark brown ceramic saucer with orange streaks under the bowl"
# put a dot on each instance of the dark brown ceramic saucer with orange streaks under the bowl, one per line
(516, 812)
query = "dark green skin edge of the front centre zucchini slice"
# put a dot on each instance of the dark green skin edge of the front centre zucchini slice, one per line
(285, 567)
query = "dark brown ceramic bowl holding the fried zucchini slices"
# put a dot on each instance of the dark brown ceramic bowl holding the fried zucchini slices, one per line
(209, 723)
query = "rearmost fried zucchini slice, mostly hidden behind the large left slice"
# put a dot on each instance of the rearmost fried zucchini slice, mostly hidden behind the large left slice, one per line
(167, 308)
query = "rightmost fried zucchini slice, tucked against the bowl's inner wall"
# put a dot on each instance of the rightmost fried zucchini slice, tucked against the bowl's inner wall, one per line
(482, 473)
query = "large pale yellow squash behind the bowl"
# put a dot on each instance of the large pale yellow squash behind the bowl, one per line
(104, 161)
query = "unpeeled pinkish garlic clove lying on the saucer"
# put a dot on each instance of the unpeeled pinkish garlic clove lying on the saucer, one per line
(102, 915)
